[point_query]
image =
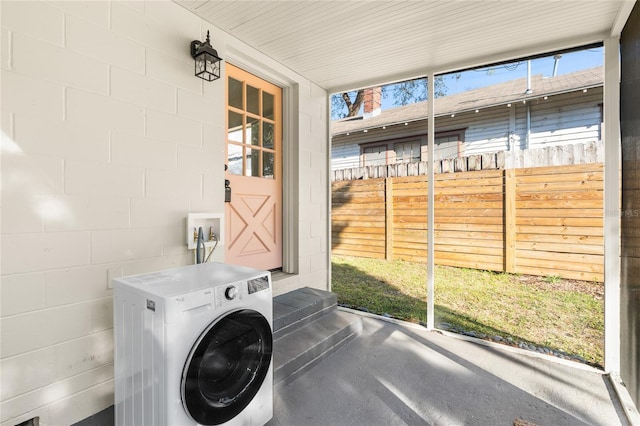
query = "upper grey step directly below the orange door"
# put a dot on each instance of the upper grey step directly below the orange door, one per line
(297, 308)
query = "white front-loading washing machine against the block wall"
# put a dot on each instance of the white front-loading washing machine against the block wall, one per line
(193, 345)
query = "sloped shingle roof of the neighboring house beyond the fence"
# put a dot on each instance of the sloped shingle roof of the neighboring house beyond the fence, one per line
(497, 94)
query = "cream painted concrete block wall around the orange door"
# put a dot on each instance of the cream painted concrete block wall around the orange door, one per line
(108, 142)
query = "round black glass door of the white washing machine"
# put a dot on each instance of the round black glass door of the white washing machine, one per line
(226, 367)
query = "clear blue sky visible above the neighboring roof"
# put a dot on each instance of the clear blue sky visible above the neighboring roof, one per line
(473, 79)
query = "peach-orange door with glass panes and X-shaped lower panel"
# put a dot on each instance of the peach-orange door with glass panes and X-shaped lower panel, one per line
(254, 152)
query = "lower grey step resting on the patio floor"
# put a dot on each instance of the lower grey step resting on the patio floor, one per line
(299, 351)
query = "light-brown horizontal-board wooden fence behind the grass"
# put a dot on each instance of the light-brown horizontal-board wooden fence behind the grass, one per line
(540, 221)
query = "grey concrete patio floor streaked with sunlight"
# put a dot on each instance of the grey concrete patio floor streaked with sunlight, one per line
(396, 373)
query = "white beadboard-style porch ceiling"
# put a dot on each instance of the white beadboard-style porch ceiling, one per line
(350, 44)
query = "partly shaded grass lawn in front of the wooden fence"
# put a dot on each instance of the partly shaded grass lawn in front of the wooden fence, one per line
(549, 312)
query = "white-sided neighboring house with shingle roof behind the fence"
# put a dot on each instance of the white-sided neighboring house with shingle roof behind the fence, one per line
(560, 110)
